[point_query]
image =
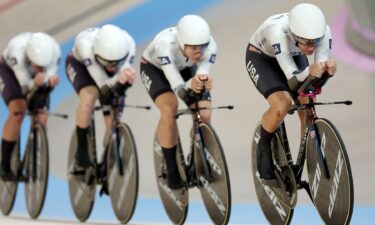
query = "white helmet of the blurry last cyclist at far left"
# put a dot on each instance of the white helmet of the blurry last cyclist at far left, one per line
(40, 49)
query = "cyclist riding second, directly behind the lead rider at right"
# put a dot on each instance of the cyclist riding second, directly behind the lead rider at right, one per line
(178, 60)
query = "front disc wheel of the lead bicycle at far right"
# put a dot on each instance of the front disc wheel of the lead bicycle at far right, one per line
(334, 196)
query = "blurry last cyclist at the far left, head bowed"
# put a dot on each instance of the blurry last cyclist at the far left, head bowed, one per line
(28, 66)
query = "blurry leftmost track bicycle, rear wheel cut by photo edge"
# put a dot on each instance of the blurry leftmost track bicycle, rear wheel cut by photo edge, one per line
(33, 168)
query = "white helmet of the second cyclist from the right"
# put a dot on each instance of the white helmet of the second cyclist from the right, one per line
(192, 30)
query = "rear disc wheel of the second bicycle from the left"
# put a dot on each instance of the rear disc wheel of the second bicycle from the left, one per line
(81, 187)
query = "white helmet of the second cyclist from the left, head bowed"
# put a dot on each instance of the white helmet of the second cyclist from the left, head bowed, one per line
(110, 44)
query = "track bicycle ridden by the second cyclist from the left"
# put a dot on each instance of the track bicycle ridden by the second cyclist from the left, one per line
(117, 172)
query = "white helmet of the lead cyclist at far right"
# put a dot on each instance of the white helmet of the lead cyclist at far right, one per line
(307, 23)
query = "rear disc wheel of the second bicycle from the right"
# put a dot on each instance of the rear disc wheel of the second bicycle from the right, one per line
(175, 202)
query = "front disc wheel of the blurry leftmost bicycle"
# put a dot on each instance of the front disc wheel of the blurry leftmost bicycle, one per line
(36, 170)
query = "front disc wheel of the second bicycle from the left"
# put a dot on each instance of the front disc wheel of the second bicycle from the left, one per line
(123, 188)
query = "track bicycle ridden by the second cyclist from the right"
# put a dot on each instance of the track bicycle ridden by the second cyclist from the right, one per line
(205, 168)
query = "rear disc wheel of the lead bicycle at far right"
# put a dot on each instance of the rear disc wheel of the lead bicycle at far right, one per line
(275, 211)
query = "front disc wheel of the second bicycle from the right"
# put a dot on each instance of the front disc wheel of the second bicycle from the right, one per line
(215, 191)
